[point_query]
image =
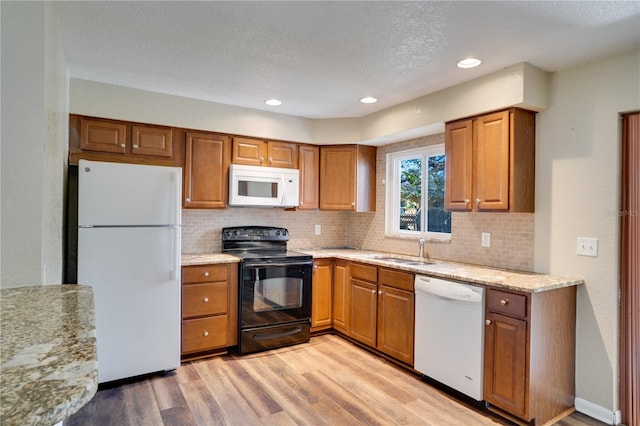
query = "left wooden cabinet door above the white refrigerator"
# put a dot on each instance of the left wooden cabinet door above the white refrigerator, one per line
(103, 136)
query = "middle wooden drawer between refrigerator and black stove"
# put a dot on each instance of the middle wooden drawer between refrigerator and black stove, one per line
(204, 299)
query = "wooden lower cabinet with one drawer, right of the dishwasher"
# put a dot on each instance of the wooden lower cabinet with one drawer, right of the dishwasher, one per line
(529, 353)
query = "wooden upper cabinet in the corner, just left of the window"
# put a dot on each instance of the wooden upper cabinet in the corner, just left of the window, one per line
(348, 178)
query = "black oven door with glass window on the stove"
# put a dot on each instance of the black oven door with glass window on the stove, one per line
(275, 293)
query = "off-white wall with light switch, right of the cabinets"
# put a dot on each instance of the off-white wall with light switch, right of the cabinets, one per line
(578, 195)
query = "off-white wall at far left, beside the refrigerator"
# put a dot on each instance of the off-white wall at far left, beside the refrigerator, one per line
(33, 145)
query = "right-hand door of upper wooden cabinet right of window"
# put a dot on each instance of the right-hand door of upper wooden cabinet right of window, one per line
(492, 162)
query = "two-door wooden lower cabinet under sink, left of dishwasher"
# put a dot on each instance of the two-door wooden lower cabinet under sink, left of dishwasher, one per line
(382, 310)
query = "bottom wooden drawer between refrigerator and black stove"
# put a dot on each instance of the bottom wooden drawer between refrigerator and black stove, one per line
(204, 333)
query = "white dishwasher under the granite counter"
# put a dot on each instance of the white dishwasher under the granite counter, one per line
(449, 333)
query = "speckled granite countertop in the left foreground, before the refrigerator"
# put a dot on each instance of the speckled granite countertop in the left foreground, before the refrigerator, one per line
(49, 368)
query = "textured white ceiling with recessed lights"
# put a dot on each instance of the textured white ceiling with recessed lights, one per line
(321, 57)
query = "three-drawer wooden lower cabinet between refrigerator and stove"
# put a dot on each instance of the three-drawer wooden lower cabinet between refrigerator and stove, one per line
(209, 309)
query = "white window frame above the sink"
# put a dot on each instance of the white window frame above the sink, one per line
(392, 201)
